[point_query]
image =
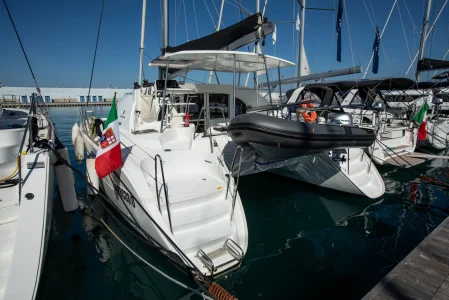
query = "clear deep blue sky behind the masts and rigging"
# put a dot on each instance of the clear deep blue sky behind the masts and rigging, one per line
(59, 37)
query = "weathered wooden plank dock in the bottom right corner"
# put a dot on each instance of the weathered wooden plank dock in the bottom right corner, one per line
(423, 274)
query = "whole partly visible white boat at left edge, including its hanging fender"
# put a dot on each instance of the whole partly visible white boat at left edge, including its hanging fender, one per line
(28, 163)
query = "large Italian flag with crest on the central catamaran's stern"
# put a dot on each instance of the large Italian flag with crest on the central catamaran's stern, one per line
(109, 154)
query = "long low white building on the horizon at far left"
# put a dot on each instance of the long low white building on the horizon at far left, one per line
(24, 94)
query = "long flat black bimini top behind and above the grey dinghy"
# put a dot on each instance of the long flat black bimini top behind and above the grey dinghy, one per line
(379, 84)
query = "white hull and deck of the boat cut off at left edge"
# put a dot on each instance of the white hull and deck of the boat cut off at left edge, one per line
(26, 212)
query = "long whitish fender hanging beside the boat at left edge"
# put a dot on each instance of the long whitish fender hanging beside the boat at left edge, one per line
(66, 180)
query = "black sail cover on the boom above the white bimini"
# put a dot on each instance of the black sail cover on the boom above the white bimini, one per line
(230, 38)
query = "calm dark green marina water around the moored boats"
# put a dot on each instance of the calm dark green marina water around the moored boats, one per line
(304, 242)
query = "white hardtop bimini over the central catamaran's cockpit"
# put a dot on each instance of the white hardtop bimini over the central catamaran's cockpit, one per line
(220, 61)
